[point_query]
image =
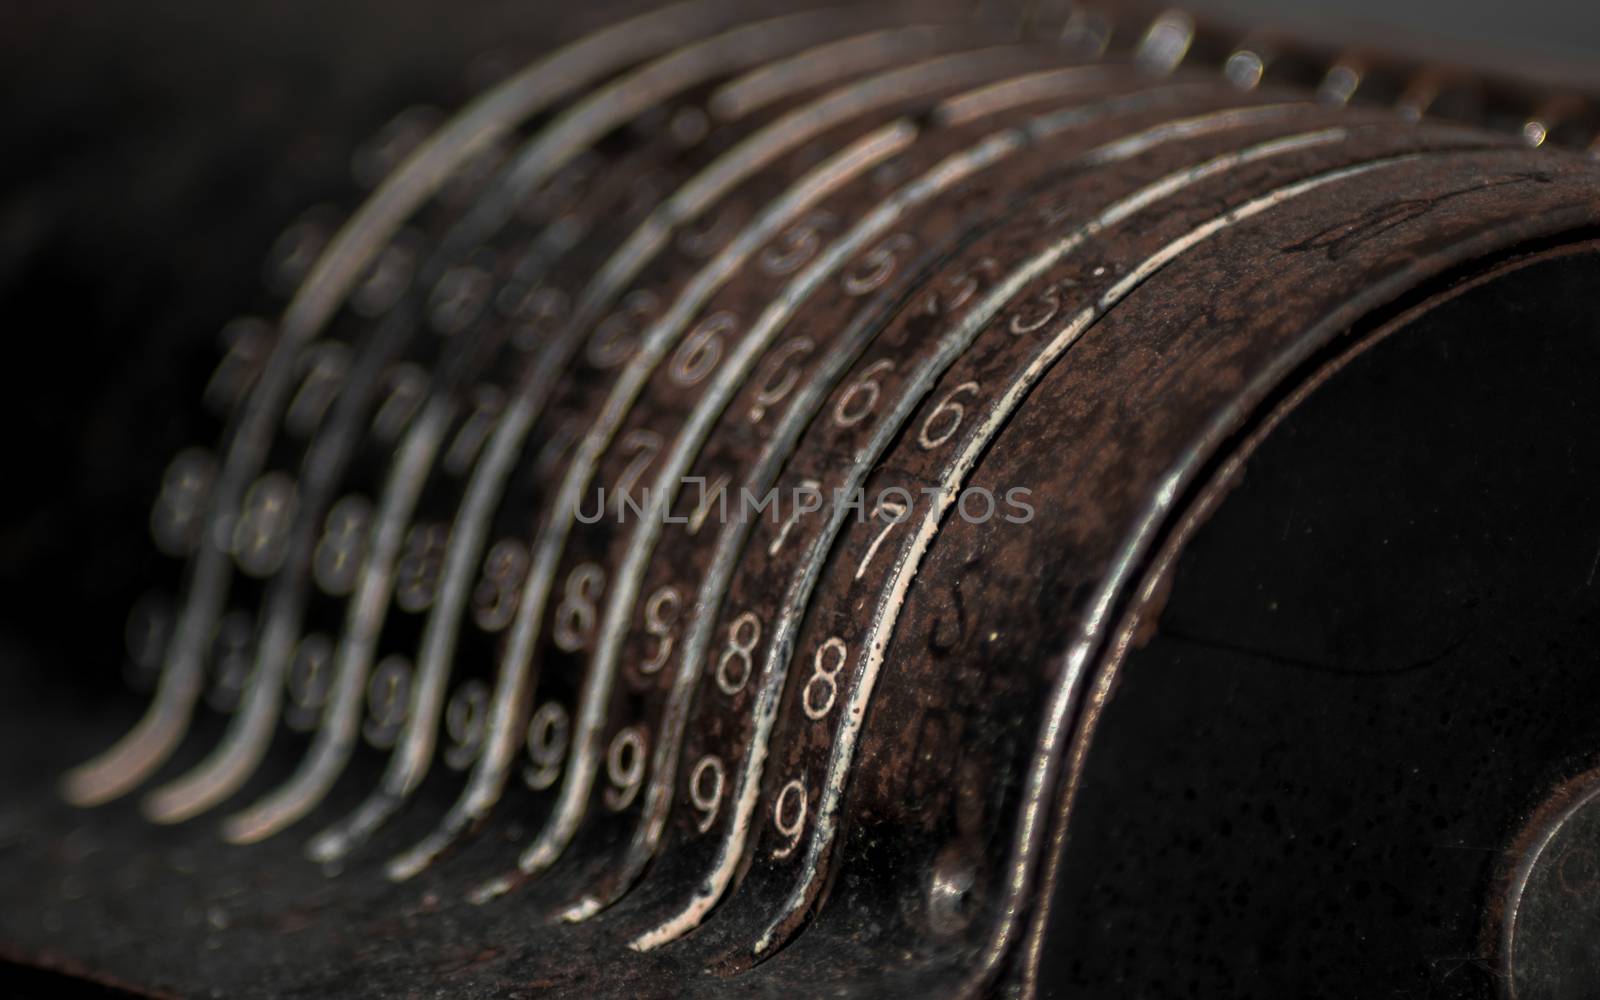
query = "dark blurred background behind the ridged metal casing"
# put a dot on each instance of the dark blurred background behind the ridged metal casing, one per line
(154, 153)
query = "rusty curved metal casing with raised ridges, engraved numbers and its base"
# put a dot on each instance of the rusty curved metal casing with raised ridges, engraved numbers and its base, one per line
(457, 684)
